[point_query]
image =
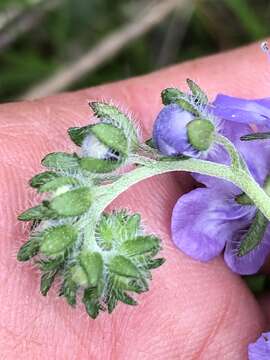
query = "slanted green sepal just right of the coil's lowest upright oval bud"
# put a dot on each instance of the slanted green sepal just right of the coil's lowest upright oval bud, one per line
(122, 266)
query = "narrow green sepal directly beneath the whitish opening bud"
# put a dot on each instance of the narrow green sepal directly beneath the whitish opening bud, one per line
(98, 166)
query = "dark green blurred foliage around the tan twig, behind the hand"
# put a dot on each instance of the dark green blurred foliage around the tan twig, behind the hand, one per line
(76, 25)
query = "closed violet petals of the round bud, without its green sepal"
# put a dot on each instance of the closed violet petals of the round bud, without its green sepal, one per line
(170, 132)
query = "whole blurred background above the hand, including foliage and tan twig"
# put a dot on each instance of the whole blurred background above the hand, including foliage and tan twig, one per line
(47, 46)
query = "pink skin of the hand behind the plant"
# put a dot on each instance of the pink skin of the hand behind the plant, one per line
(193, 310)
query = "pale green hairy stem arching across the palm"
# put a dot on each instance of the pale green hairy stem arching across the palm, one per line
(149, 168)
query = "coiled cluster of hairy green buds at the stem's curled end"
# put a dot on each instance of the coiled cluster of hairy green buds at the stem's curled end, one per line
(100, 257)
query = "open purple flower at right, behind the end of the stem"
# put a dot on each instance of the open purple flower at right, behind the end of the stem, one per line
(207, 220)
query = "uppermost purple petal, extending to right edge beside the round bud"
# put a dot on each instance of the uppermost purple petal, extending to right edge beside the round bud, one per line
(242, 110)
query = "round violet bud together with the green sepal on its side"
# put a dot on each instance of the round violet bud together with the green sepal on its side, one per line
(174, 132)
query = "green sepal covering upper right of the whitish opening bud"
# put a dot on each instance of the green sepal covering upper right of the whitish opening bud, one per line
(111, 136)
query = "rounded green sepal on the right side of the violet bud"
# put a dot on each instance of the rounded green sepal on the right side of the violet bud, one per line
(200, 133)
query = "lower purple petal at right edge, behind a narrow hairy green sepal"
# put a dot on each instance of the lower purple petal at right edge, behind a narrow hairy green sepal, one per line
(251, 262)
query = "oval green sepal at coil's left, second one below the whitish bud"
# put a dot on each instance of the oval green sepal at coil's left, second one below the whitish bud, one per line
(55, 240)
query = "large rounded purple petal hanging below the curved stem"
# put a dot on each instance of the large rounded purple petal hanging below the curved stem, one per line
(203, 220)
